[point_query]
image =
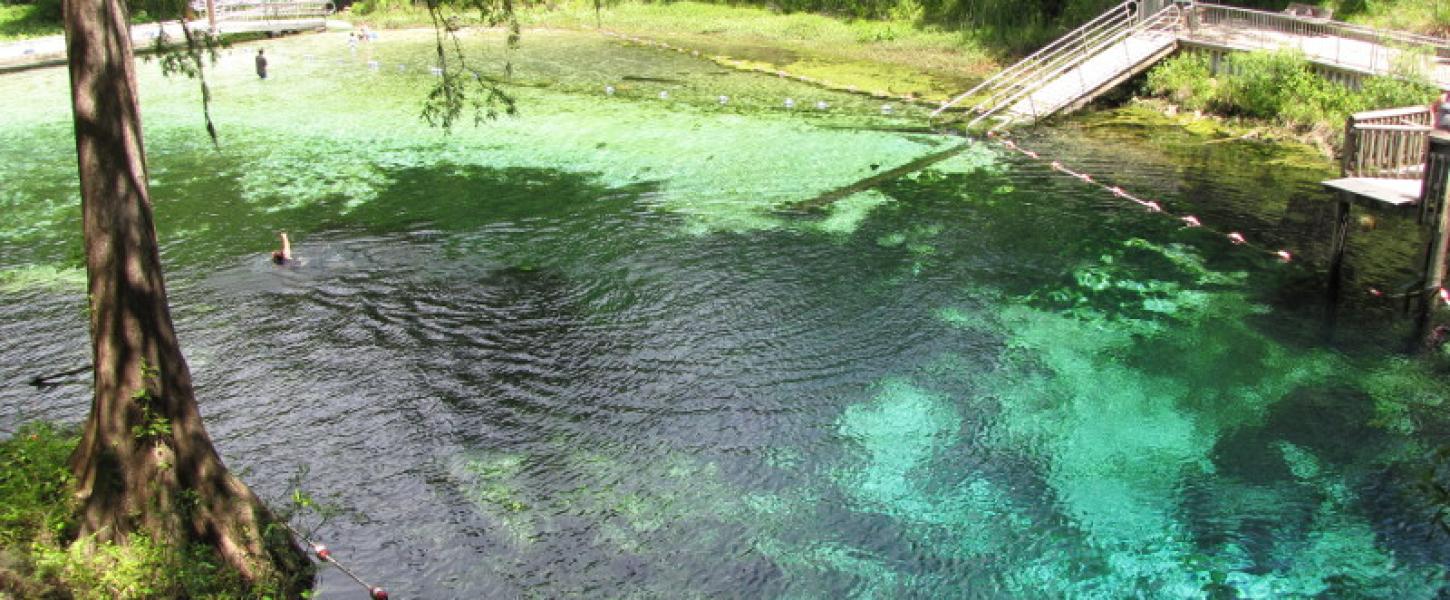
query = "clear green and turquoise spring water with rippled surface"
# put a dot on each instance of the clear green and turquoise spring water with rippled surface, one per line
(598, 350)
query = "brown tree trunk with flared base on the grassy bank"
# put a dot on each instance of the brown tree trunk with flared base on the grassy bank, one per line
(146, 464)
